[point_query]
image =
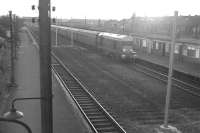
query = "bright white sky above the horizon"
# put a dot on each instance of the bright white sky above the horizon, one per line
(104, 9)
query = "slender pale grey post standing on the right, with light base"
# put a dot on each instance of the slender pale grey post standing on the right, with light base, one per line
(169, 83)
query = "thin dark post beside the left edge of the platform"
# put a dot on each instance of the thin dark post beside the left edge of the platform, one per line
(12, 77)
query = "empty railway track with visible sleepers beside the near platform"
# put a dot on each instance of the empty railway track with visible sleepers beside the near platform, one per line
(97, 117)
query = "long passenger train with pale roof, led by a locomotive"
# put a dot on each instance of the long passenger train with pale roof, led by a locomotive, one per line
(113, 45)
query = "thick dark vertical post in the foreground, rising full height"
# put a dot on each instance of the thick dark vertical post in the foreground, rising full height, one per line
(45, 66)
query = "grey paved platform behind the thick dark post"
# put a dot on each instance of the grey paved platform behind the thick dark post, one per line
(65, 118)
